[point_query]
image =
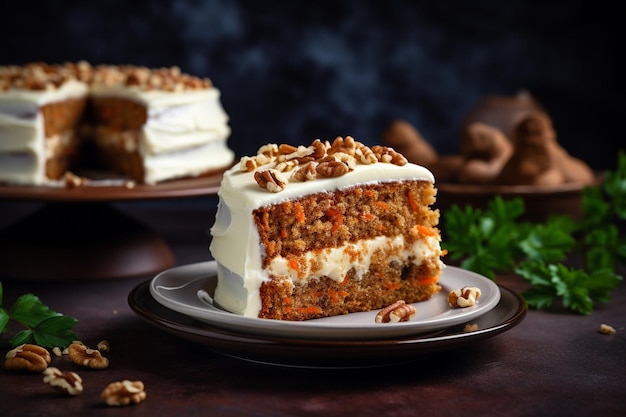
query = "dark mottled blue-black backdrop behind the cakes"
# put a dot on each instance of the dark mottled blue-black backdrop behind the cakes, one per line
(293, 71)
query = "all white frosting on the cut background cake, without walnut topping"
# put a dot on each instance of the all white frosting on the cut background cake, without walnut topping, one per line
(185, 134)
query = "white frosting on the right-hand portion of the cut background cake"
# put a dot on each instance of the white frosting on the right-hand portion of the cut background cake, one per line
(185, 133)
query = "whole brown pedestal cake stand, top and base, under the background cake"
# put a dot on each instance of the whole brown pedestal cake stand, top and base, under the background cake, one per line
(78, 234)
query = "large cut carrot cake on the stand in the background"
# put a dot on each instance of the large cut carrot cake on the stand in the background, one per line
(150, 125)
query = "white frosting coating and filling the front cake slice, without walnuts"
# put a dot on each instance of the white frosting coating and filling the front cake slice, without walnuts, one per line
(235, 245)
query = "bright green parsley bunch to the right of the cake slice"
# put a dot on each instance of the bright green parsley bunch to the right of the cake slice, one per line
(497, 240)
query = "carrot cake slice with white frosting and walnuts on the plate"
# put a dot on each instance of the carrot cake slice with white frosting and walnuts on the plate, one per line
(305, 232)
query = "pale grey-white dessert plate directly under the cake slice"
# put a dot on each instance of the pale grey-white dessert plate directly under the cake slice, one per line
(189, 289)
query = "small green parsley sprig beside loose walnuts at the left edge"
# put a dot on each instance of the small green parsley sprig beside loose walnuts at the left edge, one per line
(43, 326)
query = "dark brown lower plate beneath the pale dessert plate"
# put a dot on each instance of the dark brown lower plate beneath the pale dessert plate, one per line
(305, 353)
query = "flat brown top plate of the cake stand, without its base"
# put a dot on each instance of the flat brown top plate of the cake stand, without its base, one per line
(187, 187)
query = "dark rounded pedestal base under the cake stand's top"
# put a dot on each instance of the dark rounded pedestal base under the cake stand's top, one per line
(78, 241)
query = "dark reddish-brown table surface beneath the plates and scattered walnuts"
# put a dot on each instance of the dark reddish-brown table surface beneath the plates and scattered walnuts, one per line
(551, 364)
